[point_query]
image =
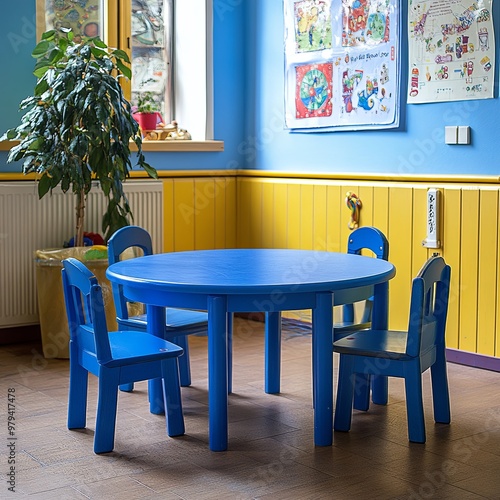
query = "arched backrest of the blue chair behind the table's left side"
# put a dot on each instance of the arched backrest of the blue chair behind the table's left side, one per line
(123, 239)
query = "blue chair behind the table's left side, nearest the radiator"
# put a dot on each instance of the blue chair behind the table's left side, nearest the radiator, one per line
(179, 322)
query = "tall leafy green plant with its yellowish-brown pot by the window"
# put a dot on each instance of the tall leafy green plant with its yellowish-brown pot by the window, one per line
(77, 128)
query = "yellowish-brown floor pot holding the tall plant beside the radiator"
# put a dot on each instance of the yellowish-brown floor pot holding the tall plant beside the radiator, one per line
(51, 306)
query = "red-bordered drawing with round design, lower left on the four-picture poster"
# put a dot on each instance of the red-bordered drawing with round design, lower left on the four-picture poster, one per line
(313, 90)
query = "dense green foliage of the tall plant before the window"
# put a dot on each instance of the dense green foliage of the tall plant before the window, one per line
(77, 126)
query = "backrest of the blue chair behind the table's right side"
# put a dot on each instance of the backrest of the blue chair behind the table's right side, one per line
(370, 238)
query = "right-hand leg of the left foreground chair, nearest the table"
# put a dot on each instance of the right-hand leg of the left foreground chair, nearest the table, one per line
(172, 396)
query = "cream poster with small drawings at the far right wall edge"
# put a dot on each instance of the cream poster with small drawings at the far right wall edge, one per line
(451, 50)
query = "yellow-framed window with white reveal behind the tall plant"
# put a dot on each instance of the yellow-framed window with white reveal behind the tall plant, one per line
(169, 45)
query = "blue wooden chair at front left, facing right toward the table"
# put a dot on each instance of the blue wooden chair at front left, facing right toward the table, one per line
(120, 357)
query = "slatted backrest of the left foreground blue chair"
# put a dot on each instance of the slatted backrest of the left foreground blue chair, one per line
(85, 310)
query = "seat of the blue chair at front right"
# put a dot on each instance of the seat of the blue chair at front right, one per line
(375, 343)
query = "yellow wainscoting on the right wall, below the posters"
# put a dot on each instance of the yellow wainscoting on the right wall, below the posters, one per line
(312, 213)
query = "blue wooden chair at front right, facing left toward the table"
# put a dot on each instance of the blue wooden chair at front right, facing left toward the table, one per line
(405, 354)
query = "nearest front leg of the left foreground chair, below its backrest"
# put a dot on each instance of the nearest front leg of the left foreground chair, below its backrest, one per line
(104, 437)
